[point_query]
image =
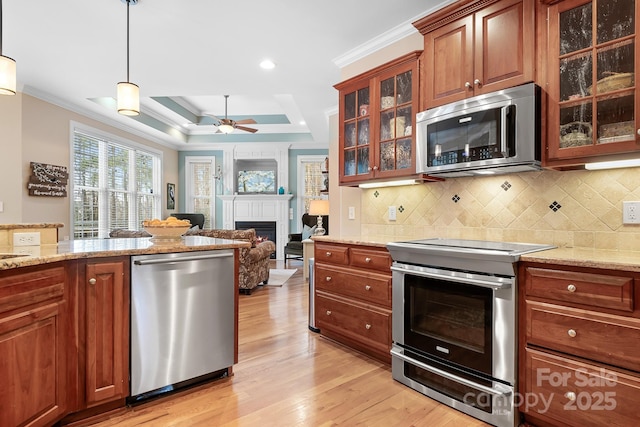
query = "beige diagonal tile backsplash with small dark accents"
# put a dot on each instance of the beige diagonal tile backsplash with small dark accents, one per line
(567, 209)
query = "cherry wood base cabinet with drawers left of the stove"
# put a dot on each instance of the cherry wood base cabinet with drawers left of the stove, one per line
(353, 296)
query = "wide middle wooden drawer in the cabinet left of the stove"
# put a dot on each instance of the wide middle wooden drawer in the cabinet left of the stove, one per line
(372, 287)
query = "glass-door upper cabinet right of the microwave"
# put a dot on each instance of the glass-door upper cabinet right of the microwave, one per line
(592, 81)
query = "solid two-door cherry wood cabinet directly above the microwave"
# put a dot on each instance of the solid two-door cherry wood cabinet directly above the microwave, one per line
(477, 47)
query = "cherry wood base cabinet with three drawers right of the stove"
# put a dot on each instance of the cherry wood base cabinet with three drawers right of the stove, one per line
(579, 334)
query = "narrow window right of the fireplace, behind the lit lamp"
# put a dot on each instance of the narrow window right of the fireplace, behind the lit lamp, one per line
(312, 183)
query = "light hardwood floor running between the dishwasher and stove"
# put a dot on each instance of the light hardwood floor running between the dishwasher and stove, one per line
(290, 376)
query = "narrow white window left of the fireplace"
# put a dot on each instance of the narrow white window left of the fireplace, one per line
(200, 188)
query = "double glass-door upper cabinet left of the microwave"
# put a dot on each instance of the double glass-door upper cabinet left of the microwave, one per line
(377, 111)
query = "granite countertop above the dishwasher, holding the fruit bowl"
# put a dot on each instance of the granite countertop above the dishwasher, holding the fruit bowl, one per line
(93, 248)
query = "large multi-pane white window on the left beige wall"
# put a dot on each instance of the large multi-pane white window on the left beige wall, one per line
(116, 184)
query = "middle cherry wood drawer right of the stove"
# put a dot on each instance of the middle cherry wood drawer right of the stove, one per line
(603, 337)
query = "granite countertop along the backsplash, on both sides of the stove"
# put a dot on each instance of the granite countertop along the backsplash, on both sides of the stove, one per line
(579, 257)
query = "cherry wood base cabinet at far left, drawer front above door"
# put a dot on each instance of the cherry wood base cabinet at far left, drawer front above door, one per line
(33, 345)
